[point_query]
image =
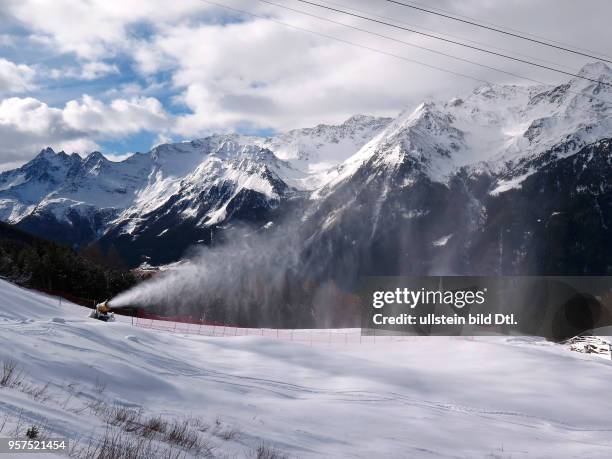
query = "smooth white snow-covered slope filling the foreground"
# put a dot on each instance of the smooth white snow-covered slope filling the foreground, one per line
(423, 398)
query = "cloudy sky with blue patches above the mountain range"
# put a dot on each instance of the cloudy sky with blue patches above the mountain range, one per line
(122, 76)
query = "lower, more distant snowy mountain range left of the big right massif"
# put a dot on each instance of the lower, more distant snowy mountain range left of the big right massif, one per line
(195, 185)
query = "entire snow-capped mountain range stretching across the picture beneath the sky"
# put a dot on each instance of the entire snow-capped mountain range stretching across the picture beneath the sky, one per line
(421, 186)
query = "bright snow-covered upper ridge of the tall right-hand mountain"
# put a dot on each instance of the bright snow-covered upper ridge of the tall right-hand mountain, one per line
(495, 126)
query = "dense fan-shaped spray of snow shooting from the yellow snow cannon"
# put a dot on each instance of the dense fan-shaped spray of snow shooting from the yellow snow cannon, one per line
(242, 281)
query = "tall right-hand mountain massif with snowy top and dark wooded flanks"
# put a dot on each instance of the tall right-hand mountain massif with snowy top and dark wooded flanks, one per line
(506, 180)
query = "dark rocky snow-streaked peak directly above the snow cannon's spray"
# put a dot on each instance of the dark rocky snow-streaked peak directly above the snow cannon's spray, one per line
(236, 183)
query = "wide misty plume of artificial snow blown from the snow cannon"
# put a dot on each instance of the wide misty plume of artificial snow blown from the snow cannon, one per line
(257, 279)
